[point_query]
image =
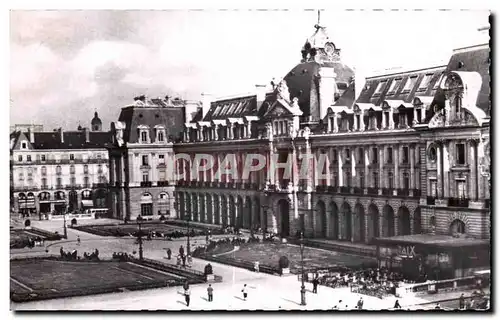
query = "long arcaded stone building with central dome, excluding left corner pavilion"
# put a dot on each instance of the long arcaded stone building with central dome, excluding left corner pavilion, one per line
(407, 154)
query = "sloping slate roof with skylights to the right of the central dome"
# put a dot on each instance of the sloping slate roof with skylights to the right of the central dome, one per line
(368, 94)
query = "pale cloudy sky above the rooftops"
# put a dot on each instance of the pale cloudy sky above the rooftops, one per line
(64, 65)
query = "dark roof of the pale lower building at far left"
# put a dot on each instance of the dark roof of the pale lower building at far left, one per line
(72, 140)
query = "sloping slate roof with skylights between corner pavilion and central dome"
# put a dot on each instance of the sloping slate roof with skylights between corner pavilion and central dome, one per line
(237, 107)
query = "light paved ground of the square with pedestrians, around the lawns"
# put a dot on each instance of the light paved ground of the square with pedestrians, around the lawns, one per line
(266, 292)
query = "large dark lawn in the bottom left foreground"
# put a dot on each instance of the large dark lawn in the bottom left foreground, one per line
(50, 278)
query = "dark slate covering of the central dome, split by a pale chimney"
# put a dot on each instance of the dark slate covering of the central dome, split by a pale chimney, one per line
(302, 79)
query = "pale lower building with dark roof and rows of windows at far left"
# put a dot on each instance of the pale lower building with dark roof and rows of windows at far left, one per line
(58, 171)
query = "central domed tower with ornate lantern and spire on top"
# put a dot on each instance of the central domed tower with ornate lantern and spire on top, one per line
(320, 78)
